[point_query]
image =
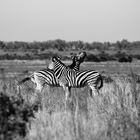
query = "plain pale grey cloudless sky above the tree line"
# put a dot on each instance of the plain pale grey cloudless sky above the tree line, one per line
(70, 20)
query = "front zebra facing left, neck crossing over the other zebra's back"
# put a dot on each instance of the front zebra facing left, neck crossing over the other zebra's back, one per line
(68, 78)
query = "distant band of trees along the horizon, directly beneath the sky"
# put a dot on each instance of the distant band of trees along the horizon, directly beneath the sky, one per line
(62, 45)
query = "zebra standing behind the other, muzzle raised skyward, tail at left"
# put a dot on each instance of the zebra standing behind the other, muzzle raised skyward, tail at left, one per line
(47, 77)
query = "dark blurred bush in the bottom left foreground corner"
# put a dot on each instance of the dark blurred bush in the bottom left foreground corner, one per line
(14, 115)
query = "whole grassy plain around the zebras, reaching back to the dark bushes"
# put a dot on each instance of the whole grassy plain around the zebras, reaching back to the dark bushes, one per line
(113, 115)
